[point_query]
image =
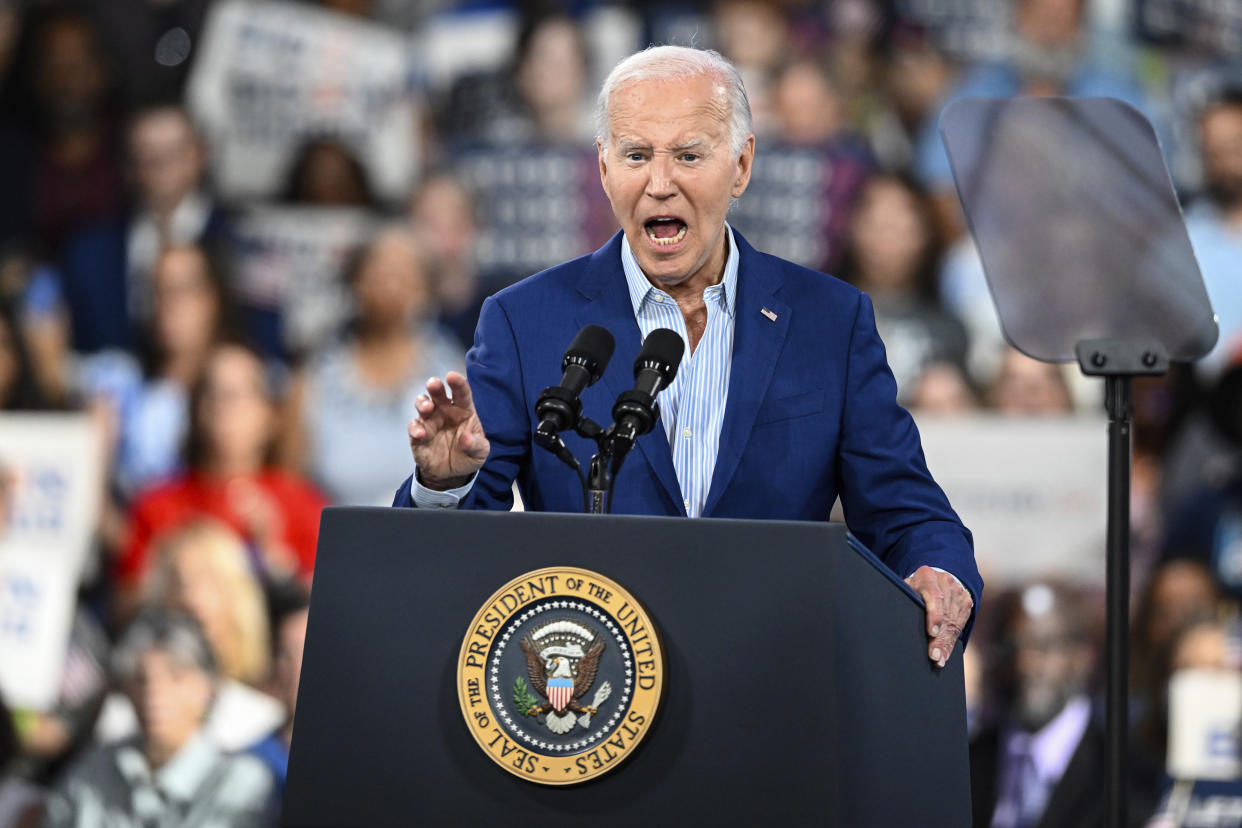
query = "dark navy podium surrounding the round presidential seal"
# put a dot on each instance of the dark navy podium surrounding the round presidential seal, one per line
(797, 680)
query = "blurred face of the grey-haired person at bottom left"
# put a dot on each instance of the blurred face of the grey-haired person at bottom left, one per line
(172, 701)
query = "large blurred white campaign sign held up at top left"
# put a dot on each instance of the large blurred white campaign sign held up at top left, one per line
(269, 76)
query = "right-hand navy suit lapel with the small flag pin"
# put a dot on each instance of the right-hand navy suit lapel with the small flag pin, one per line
(757, 344)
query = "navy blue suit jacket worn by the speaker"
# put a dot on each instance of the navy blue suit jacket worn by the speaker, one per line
(812, 414)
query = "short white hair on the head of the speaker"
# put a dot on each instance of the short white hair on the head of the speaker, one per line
(676, 63)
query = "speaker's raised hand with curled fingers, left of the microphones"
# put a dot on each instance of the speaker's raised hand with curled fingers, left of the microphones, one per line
(446, 436)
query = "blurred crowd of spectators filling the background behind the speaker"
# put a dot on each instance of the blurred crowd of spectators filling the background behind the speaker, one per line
(245, 300)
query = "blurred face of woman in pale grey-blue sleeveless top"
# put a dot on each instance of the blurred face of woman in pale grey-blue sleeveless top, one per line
(391, 286)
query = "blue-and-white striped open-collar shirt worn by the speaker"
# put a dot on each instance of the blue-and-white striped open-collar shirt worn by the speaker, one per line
(692, 408)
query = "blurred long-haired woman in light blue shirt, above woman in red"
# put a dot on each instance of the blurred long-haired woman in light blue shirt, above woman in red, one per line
(148, 398)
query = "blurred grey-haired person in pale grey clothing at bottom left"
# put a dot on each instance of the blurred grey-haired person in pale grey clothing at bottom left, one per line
(170, 773)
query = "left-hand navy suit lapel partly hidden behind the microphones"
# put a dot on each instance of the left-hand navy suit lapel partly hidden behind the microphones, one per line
(608, 304)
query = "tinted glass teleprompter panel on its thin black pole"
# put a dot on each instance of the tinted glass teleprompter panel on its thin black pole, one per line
(1087, 259)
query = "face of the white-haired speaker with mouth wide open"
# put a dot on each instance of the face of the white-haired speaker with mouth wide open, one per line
(670, 173)
